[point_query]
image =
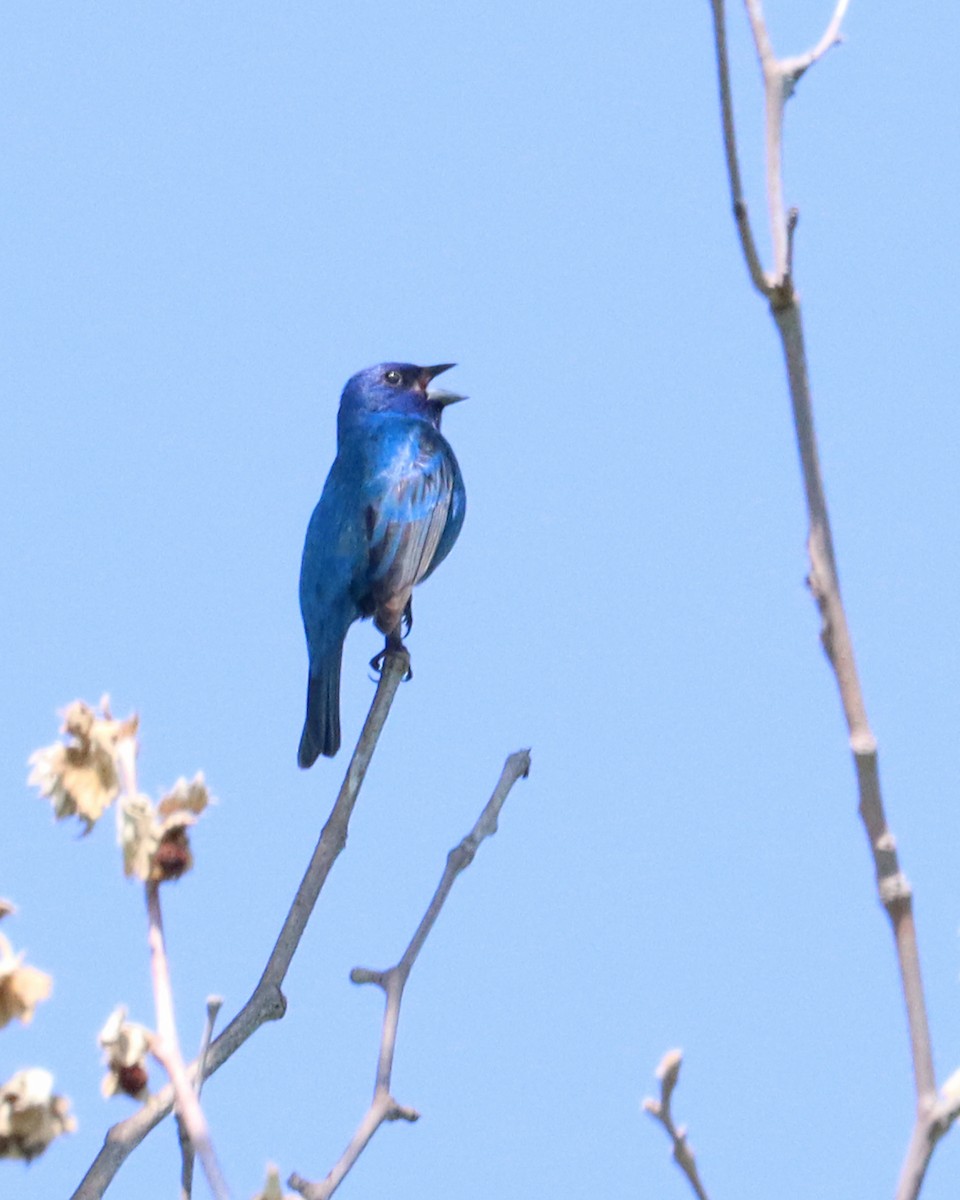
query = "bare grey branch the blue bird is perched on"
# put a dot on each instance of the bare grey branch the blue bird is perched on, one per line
(267, 1003)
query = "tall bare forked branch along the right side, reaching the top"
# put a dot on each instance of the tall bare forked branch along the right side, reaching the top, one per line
(779, 77)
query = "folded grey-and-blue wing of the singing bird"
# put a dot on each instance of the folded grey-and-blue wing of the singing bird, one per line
(406, 523)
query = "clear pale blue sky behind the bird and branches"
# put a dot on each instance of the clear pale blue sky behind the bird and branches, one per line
(214, 215)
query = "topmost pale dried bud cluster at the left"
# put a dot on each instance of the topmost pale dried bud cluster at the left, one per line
(80, 776)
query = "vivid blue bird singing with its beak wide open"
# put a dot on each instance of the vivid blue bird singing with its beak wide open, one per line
(391, 512)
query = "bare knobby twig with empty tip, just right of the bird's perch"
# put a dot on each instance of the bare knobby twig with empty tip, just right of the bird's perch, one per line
(383, 1107)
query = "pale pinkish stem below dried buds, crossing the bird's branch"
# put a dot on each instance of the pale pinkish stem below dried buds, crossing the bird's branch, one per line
(166, 1049)
